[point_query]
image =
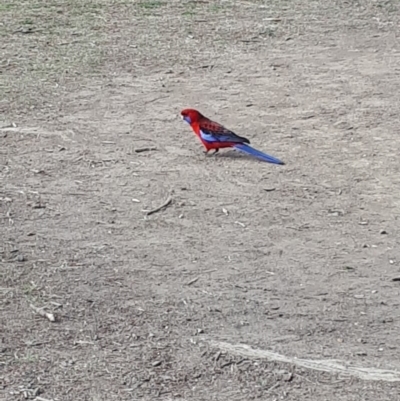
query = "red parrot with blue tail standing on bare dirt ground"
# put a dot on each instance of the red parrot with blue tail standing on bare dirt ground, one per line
(215, 136)
